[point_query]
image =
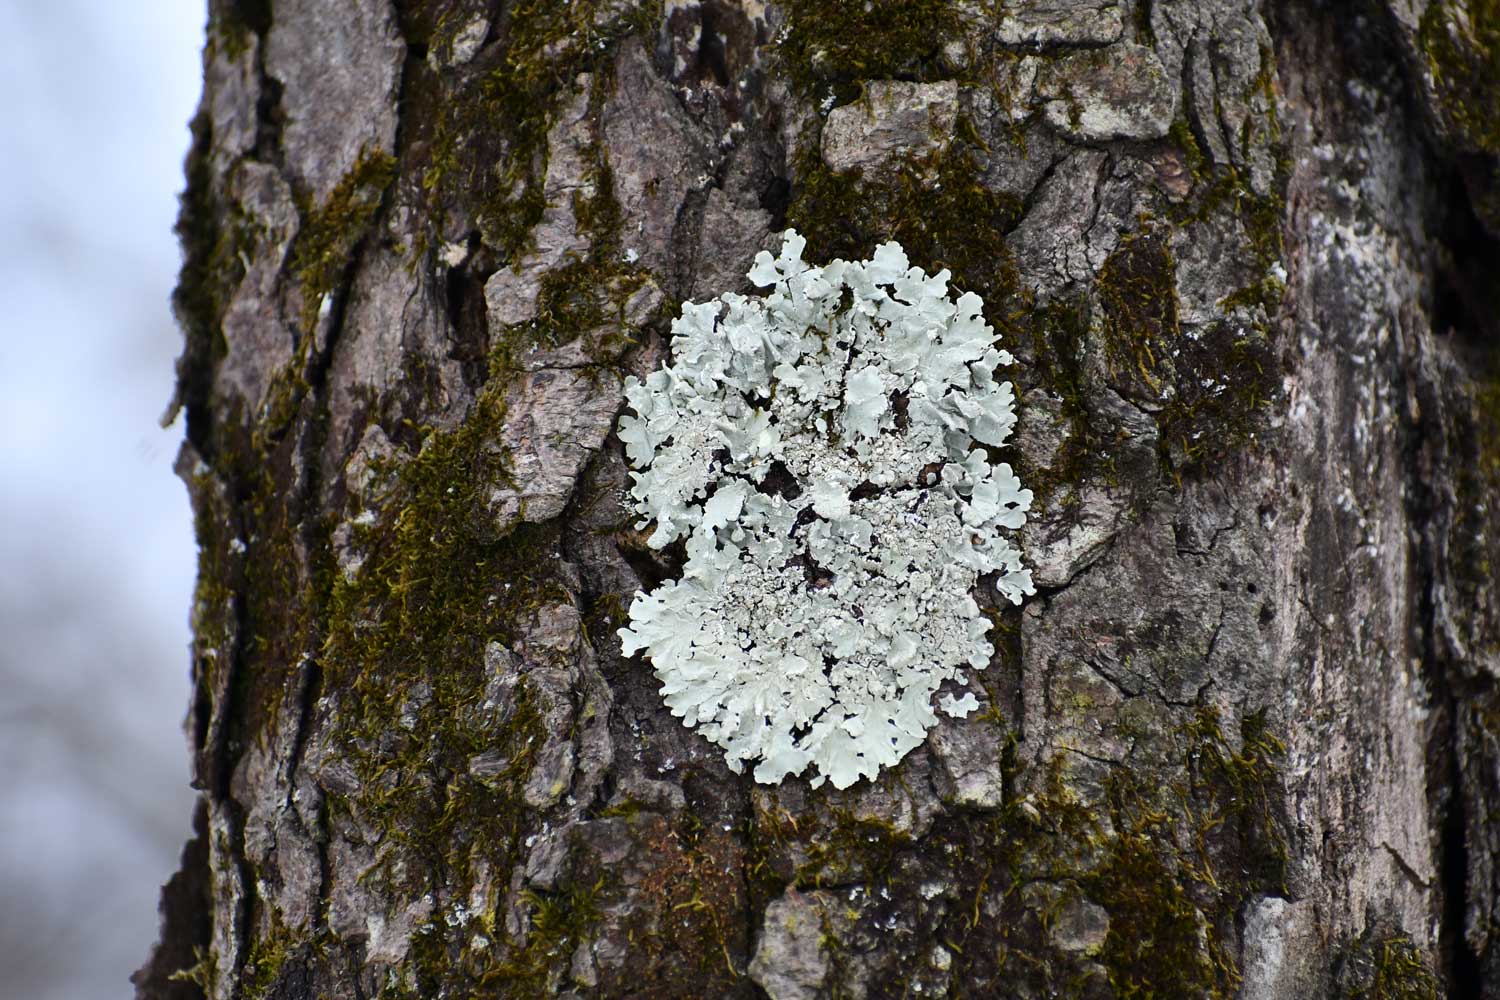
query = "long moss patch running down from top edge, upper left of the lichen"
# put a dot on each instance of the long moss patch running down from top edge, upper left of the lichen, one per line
(488, 146)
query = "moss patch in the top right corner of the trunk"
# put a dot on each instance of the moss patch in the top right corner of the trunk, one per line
(1462, 44)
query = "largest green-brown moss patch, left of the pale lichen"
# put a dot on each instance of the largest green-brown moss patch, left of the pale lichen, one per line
(437, 587)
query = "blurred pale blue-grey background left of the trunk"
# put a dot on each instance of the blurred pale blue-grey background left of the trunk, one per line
(97, 552)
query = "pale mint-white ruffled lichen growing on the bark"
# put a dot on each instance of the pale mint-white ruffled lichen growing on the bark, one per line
(823, 454)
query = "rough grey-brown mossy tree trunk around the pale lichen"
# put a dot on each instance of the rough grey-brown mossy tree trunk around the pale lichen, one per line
(1244, 740)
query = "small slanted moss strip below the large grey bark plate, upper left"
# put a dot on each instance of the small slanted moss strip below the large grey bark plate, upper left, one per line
(331, 232)
